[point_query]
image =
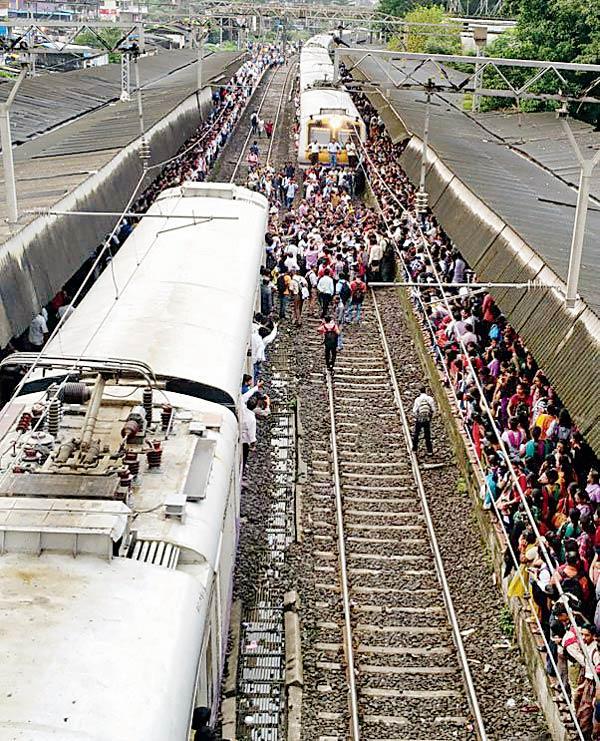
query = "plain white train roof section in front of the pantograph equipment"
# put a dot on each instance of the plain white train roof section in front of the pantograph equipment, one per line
(94, 651)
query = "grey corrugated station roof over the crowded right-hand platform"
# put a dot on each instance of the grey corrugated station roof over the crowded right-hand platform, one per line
(504, 189)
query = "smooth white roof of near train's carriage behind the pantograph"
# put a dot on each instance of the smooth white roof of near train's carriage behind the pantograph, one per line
(186, 291)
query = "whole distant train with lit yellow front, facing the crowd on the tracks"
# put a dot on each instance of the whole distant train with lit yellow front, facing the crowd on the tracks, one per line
(327, 112)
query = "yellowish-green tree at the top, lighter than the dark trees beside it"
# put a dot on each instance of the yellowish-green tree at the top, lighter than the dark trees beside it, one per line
(443, 39)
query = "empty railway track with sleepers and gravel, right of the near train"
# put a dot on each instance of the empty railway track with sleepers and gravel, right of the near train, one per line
(387, 654)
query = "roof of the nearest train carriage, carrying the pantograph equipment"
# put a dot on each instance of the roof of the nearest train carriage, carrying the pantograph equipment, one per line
(92, 647)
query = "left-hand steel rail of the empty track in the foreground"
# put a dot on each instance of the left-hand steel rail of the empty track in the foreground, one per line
(339, 516)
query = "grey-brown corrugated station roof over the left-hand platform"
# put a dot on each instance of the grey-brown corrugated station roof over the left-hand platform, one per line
(52, 164)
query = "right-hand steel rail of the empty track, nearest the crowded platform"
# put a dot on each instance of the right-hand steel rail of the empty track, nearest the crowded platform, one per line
(437, 556)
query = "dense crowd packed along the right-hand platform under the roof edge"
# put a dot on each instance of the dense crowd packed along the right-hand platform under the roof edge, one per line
(541, 477)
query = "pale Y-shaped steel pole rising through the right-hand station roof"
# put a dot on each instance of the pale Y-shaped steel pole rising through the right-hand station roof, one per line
(583, 199)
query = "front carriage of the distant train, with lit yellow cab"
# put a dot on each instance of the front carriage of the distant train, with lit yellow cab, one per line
(327, 114)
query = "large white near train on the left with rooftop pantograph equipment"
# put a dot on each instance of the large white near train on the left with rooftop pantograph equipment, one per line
(118, 516)
